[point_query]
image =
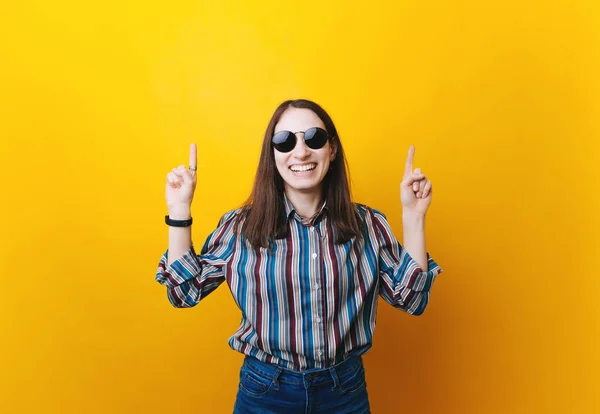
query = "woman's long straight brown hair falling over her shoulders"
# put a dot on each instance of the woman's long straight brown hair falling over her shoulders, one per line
(264, 212)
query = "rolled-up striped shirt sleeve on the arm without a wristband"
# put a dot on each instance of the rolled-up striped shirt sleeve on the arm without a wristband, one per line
(404, 284)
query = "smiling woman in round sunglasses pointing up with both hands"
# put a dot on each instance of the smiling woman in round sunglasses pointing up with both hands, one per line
(304, 264)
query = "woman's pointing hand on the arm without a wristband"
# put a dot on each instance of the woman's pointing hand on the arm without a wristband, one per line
(415, 189)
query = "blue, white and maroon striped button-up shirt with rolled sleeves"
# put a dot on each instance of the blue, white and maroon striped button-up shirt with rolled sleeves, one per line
(306, 301)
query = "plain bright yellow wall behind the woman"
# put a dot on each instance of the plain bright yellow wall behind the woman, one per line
(99, 100)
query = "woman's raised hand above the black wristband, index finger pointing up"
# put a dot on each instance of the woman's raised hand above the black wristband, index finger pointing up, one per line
(181, 184)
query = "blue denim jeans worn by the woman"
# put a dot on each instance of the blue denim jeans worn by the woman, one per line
(268, 388)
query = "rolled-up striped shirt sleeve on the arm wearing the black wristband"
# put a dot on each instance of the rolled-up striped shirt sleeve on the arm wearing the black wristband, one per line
(192, 277)
